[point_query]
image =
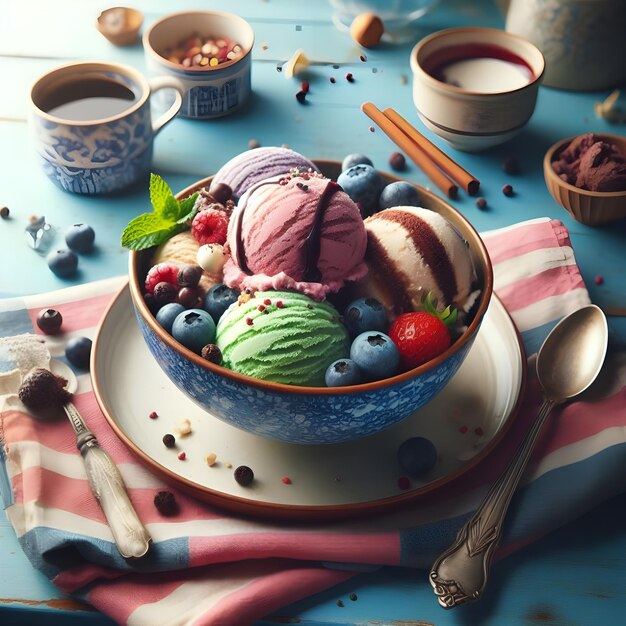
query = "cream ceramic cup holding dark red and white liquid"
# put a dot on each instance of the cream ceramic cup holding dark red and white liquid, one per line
(472, 120)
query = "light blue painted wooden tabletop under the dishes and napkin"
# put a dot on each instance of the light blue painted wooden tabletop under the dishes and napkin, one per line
(576, 576)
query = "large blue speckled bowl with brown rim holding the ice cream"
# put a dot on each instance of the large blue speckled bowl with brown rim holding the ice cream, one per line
(310, 415)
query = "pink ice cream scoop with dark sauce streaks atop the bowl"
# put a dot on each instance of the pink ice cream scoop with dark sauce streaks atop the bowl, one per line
(300, 232)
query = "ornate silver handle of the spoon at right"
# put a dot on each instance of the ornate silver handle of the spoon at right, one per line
(460, 574)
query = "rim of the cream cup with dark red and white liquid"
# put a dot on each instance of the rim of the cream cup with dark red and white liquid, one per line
(446, 32)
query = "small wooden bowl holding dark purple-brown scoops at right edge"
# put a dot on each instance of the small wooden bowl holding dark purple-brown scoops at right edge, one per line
(592, 208)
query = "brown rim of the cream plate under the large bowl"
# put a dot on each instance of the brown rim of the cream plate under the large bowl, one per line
(296, 512)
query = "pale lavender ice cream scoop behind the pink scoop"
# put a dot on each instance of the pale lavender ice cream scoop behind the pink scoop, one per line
(252, 166)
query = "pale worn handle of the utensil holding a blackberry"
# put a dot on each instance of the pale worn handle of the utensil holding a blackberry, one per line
(107, 485)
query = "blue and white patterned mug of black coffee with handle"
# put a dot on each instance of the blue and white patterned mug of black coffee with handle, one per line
(92, 125)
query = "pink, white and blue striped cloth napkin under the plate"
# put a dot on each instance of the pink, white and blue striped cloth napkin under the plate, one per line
(211, 567)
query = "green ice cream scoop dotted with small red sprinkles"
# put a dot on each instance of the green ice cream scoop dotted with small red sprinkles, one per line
(282, 337)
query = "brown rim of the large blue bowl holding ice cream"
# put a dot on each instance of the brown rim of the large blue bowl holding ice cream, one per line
(283, 388)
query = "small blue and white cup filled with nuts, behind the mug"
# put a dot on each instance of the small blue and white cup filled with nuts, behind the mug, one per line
(210, 92)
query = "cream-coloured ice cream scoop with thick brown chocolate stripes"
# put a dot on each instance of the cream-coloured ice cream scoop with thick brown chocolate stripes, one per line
(412, 251)
